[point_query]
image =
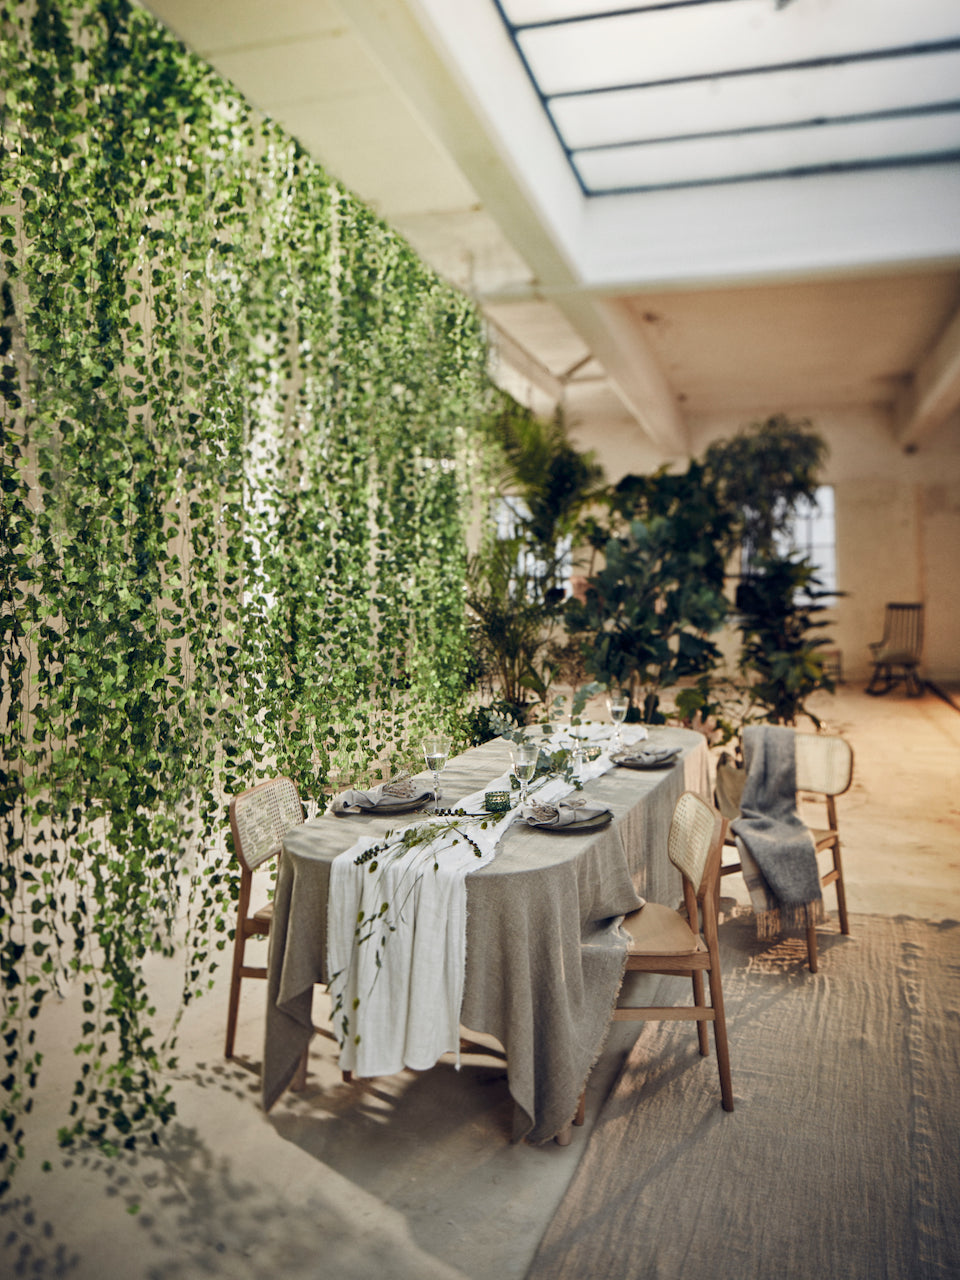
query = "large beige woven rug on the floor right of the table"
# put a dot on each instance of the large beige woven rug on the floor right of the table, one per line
(842, 1160)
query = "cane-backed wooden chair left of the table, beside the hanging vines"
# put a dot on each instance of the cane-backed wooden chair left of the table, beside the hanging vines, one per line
(259, 821)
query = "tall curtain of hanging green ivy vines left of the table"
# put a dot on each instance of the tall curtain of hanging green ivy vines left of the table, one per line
(237, 419)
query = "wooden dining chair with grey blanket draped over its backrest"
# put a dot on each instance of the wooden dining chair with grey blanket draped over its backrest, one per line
(825, 770)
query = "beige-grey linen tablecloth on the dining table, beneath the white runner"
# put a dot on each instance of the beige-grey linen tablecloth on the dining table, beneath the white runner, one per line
(545, 949)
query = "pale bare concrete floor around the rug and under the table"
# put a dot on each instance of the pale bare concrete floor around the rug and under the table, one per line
(413, 1177)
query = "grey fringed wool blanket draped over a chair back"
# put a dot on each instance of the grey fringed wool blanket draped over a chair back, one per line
(776, 851)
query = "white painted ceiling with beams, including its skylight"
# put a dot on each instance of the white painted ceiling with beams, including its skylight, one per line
(801, 282)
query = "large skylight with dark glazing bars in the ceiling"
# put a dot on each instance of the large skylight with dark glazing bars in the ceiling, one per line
(670, 94)
